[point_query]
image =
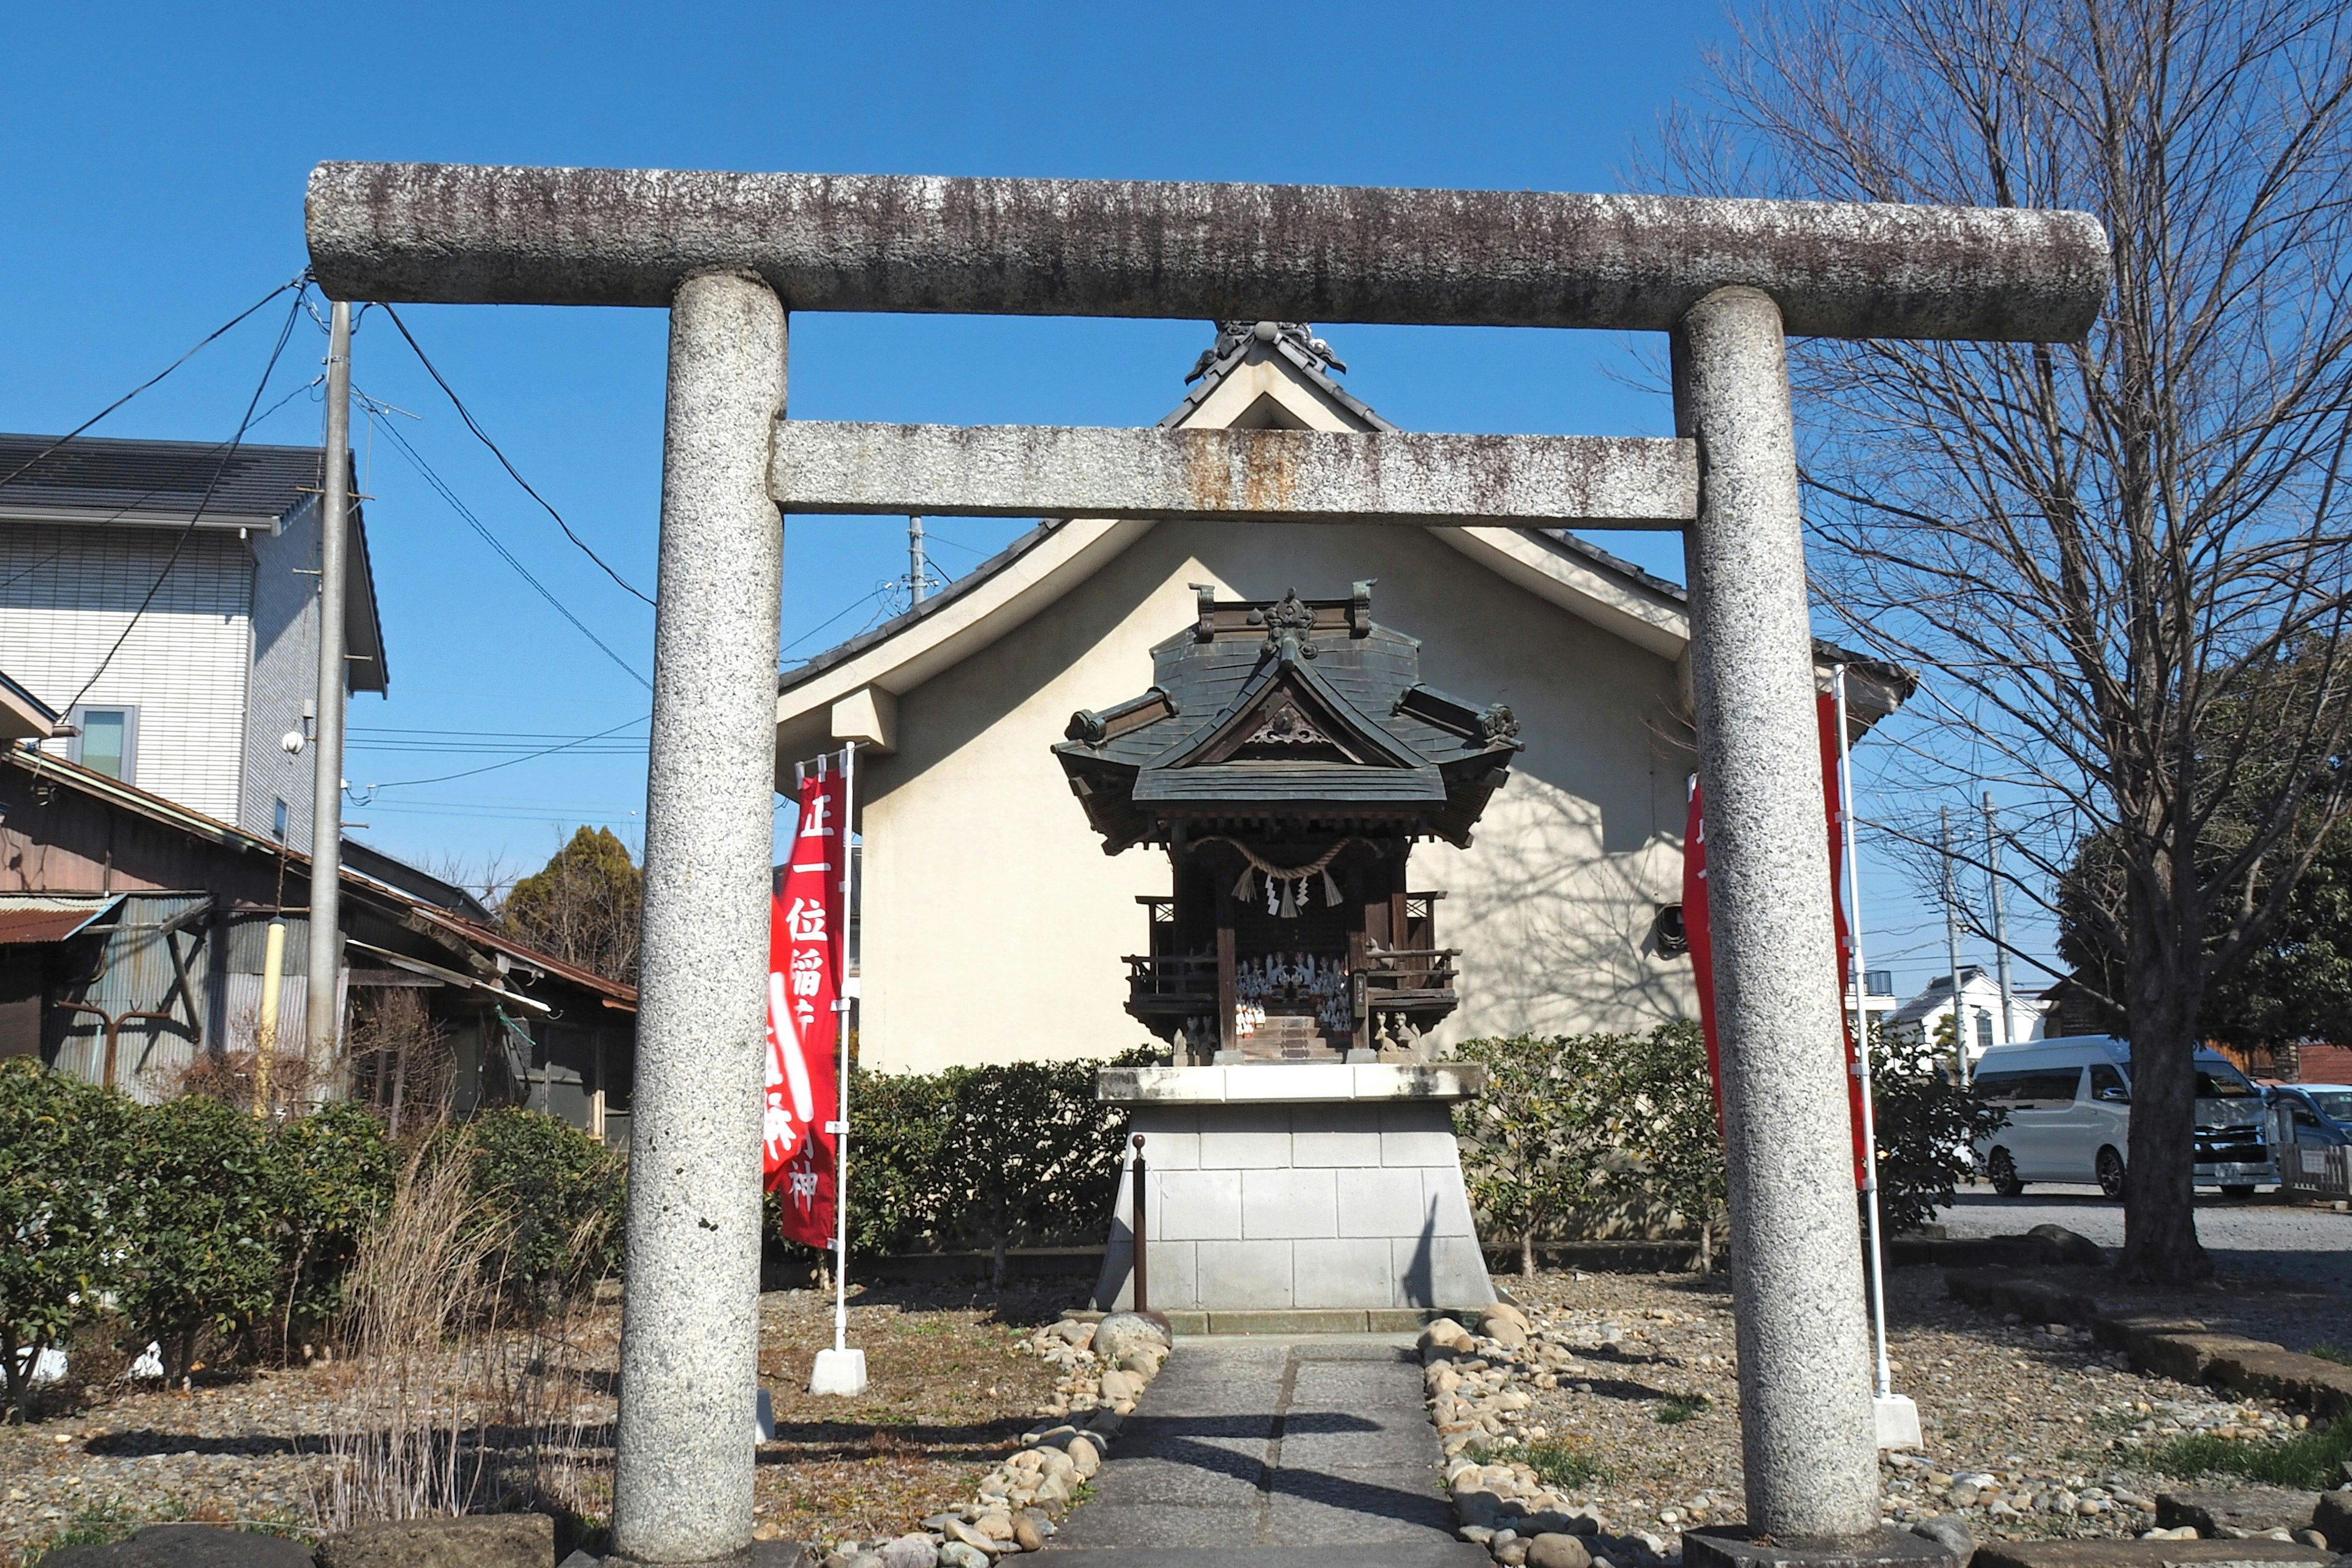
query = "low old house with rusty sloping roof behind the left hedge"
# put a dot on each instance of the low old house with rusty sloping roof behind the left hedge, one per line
(133, 942)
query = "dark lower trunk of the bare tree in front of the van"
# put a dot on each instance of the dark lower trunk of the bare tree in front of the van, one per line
(2160, 1217)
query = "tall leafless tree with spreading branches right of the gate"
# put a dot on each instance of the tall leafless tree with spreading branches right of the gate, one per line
(2123, 563)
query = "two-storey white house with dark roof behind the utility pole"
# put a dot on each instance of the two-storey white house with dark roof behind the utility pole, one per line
(163, 601)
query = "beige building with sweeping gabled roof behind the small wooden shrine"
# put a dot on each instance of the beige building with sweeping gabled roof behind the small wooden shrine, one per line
(996, 927)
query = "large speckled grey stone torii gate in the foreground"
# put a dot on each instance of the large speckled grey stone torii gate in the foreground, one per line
(733, 255)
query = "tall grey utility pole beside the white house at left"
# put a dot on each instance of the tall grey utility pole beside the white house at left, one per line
(326, 951)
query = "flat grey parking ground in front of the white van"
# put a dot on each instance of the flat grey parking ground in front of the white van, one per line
(2294, 1242)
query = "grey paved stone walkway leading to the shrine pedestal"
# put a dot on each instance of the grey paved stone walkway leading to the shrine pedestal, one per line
(1257, 1452)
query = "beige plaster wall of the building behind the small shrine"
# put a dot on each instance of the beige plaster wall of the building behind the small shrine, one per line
(994, 923)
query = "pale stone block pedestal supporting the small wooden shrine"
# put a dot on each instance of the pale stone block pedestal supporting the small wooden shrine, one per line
(1314, 1186)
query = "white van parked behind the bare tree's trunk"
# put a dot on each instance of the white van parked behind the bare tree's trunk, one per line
(2071, 1118)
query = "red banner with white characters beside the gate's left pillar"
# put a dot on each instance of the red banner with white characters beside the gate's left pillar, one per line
(803, 972)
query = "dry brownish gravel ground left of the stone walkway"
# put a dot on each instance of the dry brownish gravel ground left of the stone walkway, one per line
(951, 1391)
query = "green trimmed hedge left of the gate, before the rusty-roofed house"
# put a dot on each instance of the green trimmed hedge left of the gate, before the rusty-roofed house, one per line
(196, 1219)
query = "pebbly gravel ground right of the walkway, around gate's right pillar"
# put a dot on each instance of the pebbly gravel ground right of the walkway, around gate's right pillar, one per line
(2029, 1433)
